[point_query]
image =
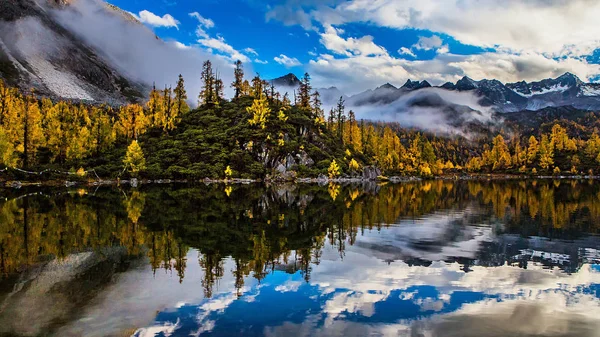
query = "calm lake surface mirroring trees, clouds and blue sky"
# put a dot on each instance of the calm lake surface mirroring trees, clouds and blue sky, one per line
(437, 258)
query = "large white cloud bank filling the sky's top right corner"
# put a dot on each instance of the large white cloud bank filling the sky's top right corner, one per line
(551, 27)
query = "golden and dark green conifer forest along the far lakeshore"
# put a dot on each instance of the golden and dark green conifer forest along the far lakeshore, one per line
(261, 133)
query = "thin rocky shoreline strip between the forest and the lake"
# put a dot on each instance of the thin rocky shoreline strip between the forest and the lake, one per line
(320, 180)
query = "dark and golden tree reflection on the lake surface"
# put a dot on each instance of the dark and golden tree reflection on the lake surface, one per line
(279, 228)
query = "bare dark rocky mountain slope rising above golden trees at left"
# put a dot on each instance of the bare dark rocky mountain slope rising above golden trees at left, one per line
(37, 51)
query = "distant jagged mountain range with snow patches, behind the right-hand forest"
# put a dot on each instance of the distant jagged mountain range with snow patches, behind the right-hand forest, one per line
(565, 90)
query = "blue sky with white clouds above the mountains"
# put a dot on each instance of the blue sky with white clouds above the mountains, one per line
(356, 44)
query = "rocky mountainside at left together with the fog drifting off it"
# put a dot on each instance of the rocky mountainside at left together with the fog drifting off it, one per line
(86, 49)
